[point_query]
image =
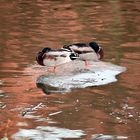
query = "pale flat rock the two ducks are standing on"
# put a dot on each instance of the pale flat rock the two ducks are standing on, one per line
(77, 76)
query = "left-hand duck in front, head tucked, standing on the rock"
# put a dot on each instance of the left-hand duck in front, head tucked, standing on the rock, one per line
(53, 58)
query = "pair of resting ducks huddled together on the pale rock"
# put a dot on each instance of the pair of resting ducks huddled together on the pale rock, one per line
(83, 51)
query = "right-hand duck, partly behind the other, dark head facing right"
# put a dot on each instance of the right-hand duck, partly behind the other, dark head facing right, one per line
(87, 51)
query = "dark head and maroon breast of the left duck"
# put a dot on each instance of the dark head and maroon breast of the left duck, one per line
(40, 56)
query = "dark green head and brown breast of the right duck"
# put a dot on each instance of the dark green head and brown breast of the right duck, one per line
(97, 49)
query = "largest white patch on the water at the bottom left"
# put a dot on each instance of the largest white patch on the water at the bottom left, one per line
(48, 133)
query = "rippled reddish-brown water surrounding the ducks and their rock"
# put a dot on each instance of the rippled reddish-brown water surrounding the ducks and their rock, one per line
(110, 111)
